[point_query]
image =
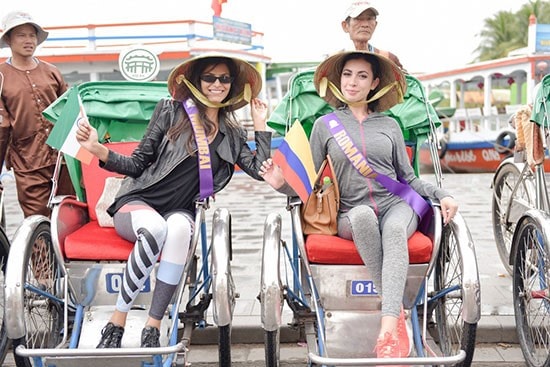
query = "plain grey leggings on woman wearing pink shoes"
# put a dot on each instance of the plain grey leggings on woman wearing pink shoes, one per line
(382, 244)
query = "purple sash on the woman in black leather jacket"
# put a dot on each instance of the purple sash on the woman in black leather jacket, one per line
(206, 181)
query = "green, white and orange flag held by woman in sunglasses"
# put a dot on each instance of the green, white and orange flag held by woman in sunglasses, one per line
(63, 134)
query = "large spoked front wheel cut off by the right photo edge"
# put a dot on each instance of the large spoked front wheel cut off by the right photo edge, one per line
(531, 277)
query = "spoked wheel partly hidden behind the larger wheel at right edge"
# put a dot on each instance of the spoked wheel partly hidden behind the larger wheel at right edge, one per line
(506, 196)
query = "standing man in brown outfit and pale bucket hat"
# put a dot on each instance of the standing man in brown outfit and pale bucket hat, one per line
(28, 85)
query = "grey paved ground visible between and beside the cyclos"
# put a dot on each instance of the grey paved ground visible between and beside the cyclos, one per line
(249, 203)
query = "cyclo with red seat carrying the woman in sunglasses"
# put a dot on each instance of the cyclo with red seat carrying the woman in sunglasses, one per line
(64, 273)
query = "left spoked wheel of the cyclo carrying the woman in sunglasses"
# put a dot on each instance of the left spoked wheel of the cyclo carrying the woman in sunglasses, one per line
(43, 316)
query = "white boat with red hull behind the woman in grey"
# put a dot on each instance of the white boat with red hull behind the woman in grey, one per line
(477, 139)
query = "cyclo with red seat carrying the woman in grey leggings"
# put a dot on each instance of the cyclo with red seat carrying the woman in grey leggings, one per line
(323, 280)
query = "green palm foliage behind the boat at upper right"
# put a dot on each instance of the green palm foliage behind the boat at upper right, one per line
(507, 31)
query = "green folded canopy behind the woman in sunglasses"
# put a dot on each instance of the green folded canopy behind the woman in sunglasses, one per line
(119, 110)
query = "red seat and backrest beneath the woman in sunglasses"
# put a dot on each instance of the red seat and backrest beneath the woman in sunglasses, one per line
(91, 241)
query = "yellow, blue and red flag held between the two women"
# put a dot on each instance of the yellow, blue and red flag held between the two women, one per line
(295, 159)
